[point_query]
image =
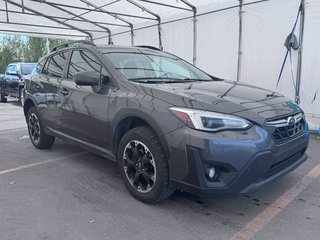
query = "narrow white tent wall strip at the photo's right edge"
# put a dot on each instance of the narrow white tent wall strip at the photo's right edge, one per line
(310, 79)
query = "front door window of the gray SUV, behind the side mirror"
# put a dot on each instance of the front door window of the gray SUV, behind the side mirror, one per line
(83, 61)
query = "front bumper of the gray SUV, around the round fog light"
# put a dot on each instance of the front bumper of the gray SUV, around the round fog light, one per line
(246, 160)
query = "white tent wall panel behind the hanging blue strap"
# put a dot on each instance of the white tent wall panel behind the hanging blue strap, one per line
(265, 28)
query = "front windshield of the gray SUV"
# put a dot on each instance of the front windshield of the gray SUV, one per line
(149, 67)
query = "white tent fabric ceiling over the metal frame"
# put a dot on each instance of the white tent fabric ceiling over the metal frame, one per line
(77, 19)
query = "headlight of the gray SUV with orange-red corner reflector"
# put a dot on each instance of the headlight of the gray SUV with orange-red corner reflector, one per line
(209, 121)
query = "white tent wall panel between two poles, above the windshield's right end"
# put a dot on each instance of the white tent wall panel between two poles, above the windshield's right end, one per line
(217, 43)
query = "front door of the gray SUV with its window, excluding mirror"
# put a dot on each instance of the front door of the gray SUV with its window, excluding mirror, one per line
(85, 108)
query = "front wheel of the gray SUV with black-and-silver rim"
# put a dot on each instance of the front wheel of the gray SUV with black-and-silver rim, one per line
(143, 165)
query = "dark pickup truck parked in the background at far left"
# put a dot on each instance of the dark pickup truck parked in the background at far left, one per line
(12, 82)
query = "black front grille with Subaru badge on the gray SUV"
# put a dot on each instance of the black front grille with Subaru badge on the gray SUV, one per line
(284, 129)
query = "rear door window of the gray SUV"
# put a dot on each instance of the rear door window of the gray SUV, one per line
(55, 65)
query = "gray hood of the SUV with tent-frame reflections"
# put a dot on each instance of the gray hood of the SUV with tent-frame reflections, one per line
(247, 101)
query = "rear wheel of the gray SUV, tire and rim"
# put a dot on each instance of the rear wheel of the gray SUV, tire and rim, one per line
(36, 131)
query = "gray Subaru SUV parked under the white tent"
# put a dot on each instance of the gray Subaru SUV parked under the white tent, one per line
(168, 124)
